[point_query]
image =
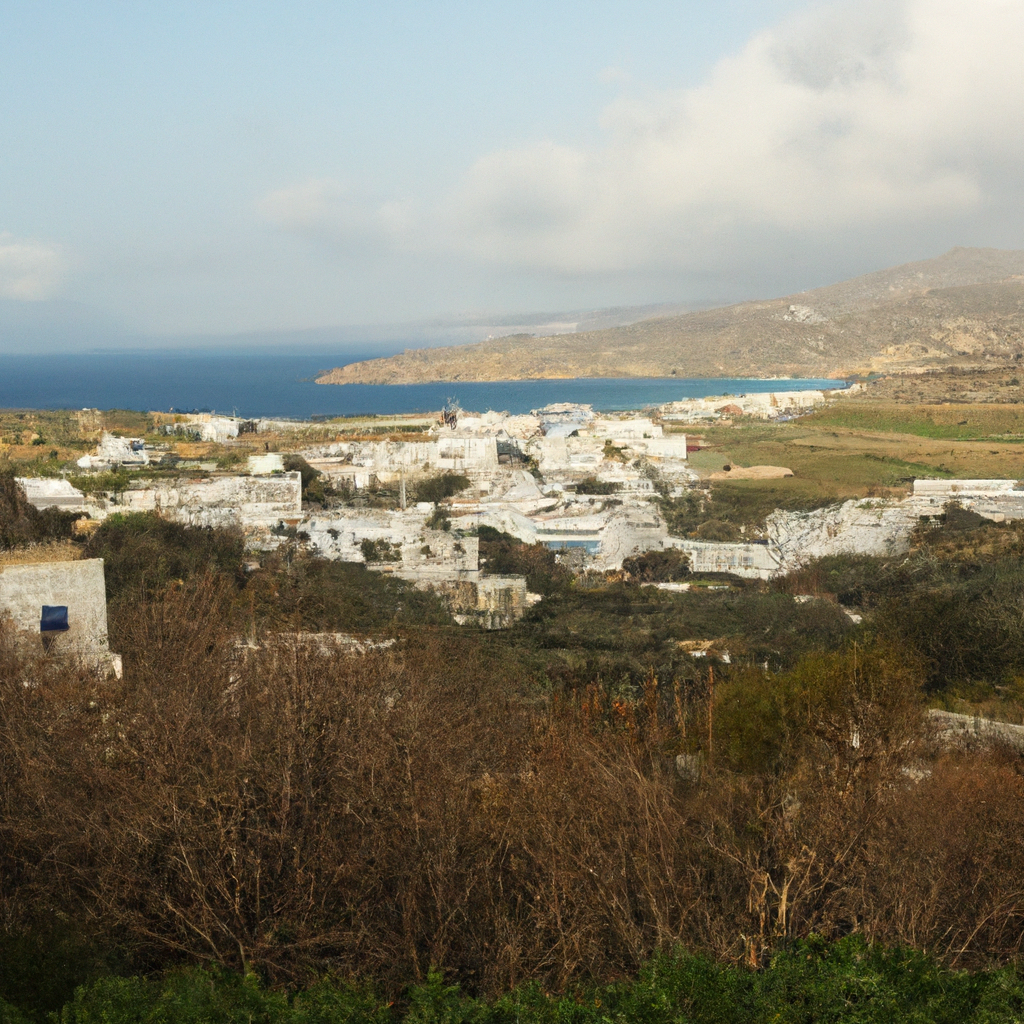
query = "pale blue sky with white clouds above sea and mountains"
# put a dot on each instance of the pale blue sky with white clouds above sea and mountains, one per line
(176, 169)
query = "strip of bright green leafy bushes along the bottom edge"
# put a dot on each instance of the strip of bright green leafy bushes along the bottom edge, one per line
(809, 983)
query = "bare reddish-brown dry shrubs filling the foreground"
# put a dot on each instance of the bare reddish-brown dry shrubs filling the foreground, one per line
(377, 815)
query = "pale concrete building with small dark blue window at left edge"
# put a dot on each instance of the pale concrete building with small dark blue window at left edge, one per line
(61, 609)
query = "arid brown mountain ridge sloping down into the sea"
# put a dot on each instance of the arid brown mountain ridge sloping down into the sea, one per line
(963, 309)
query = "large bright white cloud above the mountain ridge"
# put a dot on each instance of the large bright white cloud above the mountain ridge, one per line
(851, 116)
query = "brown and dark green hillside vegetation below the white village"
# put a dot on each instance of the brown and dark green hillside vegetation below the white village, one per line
(508, 808)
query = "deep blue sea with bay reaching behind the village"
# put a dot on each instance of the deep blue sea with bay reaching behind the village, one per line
(282, 385)
